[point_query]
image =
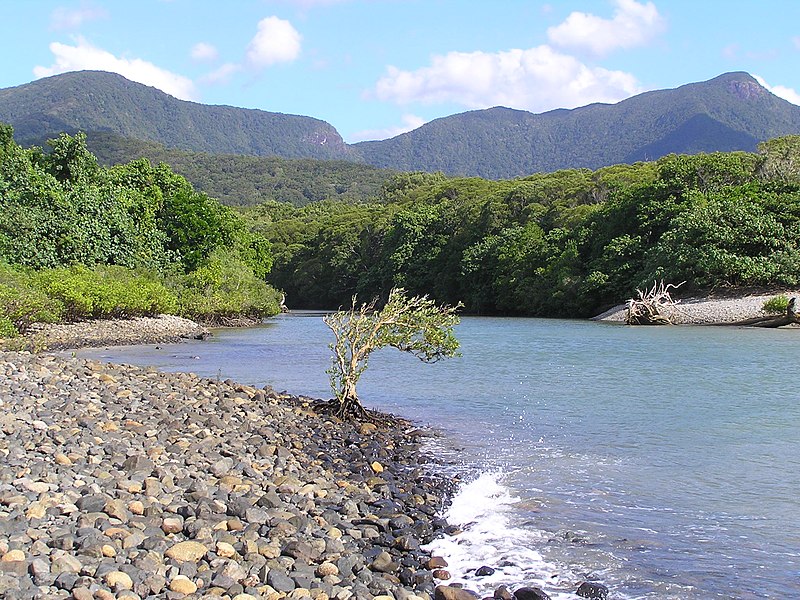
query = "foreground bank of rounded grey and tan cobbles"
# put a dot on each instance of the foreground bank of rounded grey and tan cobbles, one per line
(118, 481)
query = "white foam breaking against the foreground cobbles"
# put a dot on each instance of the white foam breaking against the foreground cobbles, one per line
(482, 509)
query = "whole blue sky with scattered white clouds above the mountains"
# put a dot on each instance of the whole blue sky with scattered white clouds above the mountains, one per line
(377, 68)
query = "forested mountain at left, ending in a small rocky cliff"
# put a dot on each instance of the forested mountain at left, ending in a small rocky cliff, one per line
(94, 101)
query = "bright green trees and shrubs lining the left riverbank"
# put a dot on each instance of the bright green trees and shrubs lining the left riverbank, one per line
(81, 241)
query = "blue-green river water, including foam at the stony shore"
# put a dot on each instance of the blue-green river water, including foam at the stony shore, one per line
(664, 462)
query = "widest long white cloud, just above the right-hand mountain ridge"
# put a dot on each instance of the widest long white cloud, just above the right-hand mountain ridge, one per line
(537, 79)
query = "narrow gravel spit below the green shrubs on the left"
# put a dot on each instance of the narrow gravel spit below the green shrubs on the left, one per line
(112, 332)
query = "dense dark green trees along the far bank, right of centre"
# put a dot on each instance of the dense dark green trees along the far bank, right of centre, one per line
(561, 244)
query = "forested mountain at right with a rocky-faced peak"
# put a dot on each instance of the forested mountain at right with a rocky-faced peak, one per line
(730, 112)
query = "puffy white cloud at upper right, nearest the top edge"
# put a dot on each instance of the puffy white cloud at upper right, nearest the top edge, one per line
(633, 24)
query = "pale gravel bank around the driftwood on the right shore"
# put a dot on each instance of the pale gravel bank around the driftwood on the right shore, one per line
(705, 311)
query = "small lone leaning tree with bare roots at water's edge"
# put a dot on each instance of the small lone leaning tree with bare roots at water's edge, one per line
(416, 325)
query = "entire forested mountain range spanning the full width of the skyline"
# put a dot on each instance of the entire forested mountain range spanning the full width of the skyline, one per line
(730, 112)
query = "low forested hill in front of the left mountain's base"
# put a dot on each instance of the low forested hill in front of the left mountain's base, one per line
(237, 180)
